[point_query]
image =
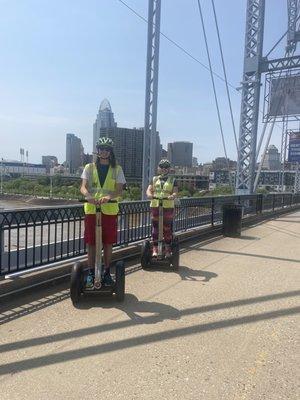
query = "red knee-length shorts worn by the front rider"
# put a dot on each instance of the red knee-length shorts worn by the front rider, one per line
(109, 229)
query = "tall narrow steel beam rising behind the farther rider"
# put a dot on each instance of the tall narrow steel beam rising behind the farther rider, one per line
(154, 8)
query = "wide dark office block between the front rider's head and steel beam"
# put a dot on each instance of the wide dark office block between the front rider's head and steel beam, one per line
(128, 149)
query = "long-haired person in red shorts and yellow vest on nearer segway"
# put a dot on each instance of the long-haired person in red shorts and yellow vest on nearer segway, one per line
(102, 180)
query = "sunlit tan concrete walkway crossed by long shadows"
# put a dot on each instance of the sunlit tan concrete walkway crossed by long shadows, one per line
(226, 326)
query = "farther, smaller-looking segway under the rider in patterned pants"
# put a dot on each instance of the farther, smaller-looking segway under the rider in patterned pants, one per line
(147, 260)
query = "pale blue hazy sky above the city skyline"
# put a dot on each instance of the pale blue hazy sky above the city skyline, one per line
(60, 58)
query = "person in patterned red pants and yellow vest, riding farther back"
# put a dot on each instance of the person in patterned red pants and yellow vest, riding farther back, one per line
(164, 186)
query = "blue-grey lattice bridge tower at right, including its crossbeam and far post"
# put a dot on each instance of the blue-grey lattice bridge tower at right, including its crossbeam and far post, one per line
(254, 66)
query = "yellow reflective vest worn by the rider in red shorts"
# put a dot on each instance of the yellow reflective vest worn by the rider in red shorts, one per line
(98, 191)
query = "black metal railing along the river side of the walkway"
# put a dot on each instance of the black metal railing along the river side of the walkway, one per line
(36, 237)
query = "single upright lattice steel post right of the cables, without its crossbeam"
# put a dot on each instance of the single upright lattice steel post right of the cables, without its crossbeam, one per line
(250, 96)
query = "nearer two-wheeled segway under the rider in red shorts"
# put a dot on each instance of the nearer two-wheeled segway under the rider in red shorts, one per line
(78, 275)
